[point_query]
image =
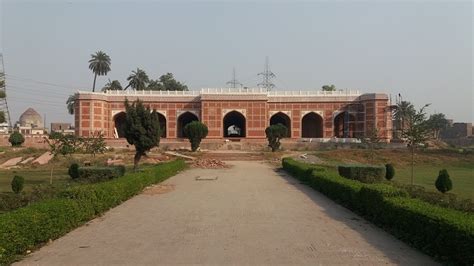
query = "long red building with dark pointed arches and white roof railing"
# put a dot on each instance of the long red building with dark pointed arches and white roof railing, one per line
(242, 113)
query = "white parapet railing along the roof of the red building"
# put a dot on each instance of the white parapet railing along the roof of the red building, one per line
(229, 91)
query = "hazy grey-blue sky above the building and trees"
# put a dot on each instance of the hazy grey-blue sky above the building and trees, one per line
(422, 50)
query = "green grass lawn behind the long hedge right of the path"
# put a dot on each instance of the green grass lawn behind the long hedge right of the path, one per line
(427, 166)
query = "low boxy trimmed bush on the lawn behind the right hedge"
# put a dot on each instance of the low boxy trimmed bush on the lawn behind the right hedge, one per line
(362, 173)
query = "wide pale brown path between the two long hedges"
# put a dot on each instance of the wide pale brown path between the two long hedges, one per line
(247, 214)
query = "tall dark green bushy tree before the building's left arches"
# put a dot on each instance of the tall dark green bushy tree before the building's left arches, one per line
(142, 129)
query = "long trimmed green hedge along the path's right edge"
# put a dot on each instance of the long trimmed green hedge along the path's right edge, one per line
(446, 234)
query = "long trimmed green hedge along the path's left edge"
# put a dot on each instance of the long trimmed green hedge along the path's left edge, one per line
(28, 227)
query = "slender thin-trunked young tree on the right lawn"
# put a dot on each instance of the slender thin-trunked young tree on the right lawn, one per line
(416, 132)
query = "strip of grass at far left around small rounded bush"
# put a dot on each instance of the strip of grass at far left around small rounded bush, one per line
(32, 177)
